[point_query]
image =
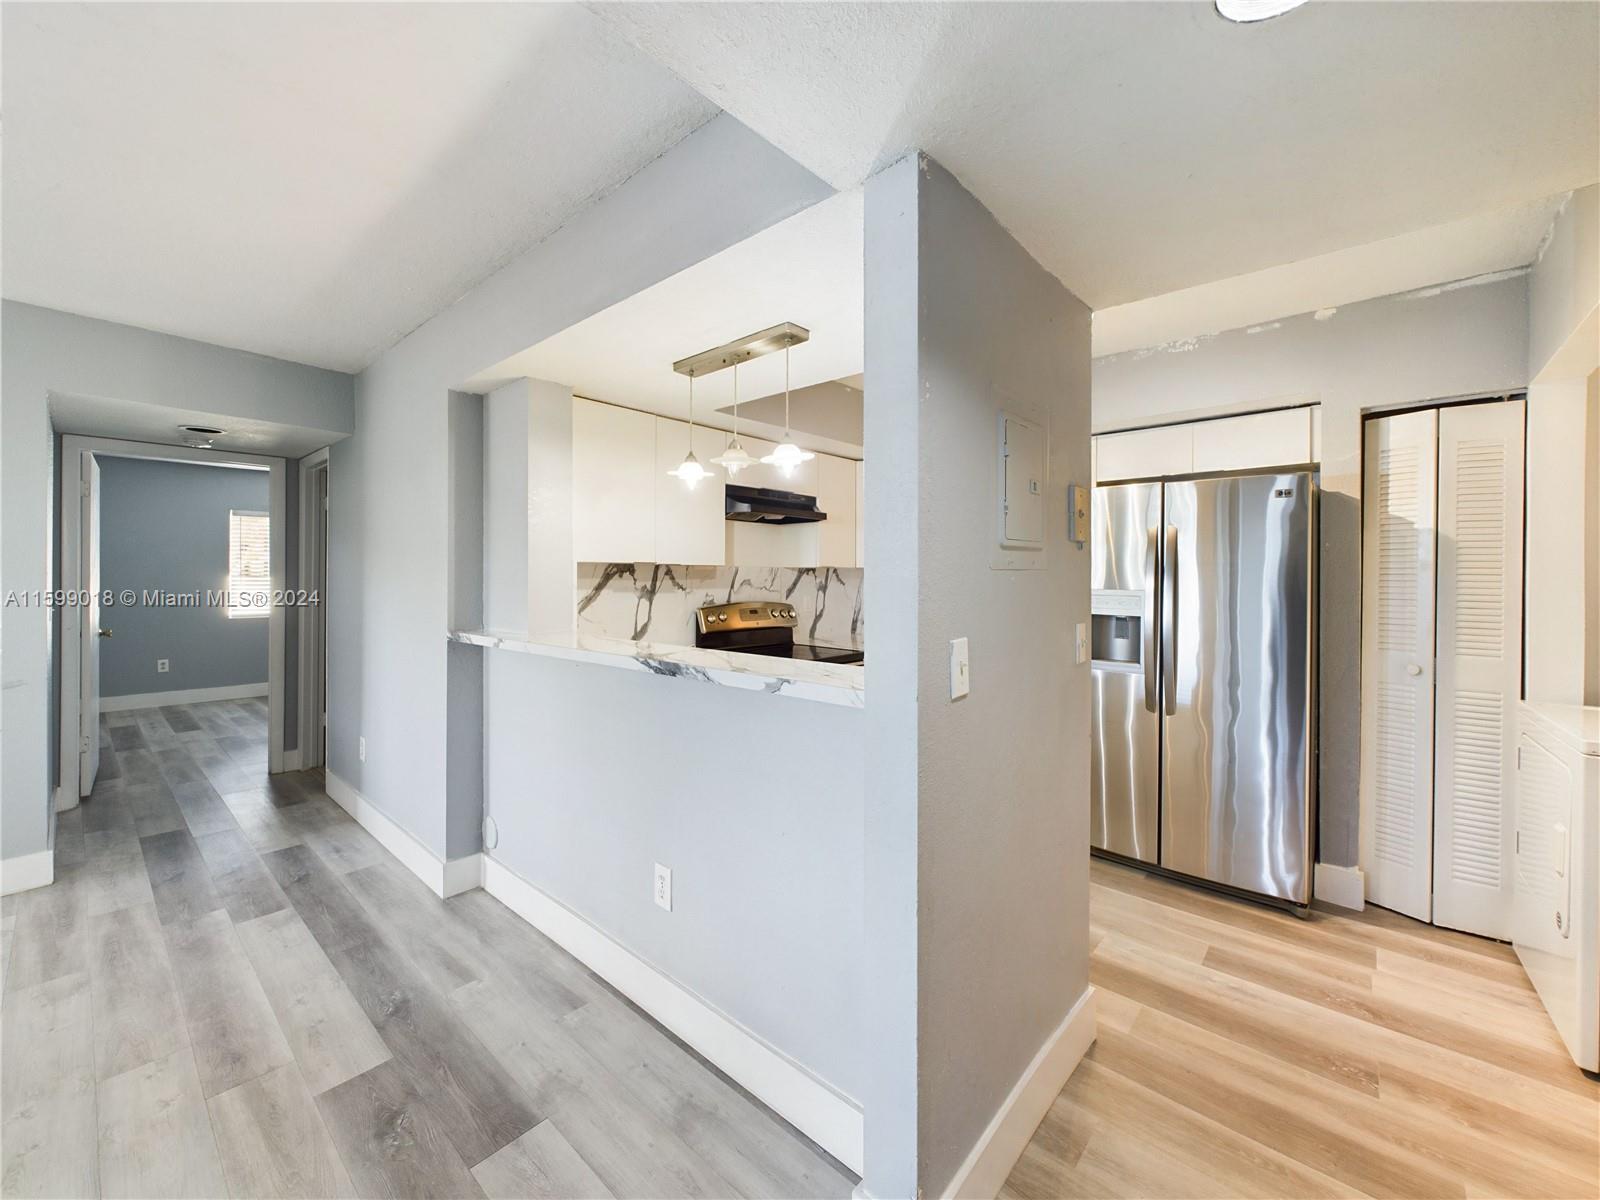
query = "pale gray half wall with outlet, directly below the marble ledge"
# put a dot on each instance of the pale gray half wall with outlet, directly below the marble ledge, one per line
(594, 775)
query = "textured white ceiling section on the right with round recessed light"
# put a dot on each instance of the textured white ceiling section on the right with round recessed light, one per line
(1143, 148)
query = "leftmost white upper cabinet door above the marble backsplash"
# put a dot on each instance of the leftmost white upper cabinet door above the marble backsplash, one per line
(614, 484)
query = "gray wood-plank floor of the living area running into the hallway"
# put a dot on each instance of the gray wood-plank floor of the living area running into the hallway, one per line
(233, 990)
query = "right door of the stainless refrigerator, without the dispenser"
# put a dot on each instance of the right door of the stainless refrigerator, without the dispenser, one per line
(1238, 652)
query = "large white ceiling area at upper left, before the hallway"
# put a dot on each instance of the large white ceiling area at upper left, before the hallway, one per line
(308, 182)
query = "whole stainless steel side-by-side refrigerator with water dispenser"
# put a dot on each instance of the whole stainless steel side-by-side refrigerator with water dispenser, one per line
(1204, 642)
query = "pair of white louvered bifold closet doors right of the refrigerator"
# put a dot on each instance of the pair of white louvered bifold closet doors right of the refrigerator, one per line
(1442, 594)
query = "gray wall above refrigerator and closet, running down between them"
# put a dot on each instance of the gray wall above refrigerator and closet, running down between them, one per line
(1383, 353)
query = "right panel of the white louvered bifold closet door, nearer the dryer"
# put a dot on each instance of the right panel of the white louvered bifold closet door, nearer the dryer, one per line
(1479, 665)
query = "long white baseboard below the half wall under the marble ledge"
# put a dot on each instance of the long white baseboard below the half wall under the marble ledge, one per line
(810, 1105)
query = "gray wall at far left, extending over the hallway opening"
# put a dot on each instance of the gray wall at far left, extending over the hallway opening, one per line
(42, 353)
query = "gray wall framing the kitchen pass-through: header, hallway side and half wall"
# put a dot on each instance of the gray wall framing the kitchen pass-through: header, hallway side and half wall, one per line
(598, 751)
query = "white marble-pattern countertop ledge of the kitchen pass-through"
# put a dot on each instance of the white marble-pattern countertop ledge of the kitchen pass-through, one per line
(823, 682)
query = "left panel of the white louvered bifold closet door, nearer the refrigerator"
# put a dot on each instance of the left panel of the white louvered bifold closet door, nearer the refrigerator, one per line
(1398, 660)
